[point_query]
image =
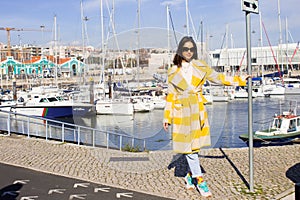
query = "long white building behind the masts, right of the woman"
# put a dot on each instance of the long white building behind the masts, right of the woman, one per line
(264, 59)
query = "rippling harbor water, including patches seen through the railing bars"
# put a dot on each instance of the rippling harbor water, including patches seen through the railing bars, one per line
(227, 121)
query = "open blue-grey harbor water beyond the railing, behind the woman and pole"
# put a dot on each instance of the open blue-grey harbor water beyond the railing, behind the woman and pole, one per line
(227, 121)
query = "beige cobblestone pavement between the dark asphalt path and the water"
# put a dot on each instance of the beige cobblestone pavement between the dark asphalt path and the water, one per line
(226, 170)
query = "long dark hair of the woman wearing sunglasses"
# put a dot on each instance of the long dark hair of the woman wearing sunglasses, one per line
(178, 56)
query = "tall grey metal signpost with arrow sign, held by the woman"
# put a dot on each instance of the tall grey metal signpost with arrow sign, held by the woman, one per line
(250, 6)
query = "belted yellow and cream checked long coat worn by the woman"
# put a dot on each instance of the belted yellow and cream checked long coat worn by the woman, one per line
(185, 106)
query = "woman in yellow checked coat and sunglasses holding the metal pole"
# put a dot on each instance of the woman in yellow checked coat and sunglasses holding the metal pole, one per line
(185, 108)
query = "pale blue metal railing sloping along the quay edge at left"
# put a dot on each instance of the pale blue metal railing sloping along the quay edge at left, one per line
(65, 132)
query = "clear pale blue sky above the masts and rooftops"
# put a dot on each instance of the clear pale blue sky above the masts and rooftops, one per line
(223, 22)
